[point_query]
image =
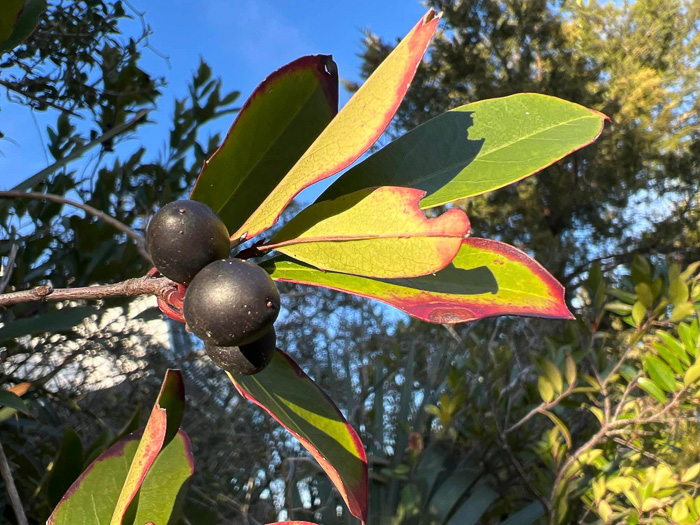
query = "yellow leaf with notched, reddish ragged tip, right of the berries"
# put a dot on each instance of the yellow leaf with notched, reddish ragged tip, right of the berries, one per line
(376, 232)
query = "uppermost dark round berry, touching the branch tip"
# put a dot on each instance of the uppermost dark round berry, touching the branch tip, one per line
(185, 236)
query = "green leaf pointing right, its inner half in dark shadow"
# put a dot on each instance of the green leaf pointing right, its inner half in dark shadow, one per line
(477, 148)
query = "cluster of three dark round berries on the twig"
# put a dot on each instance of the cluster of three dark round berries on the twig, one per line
(230, 304)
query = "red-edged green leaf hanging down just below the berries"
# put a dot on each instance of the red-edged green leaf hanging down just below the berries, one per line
(285, 392)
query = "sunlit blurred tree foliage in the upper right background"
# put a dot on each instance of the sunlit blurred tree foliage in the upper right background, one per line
(602, 202)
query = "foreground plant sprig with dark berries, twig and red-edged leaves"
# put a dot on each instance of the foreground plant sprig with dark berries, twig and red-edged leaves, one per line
(367, 234)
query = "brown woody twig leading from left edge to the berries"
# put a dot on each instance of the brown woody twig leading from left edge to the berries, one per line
(139, 286)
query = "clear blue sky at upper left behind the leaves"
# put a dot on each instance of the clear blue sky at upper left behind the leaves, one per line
(243, 41)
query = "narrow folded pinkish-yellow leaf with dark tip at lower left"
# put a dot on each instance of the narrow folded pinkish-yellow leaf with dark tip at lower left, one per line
(160, 429)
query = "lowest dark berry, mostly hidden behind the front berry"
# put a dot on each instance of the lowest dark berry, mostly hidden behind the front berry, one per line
(245, 360)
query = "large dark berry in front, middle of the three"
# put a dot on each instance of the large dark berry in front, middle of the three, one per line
(231, 302)
